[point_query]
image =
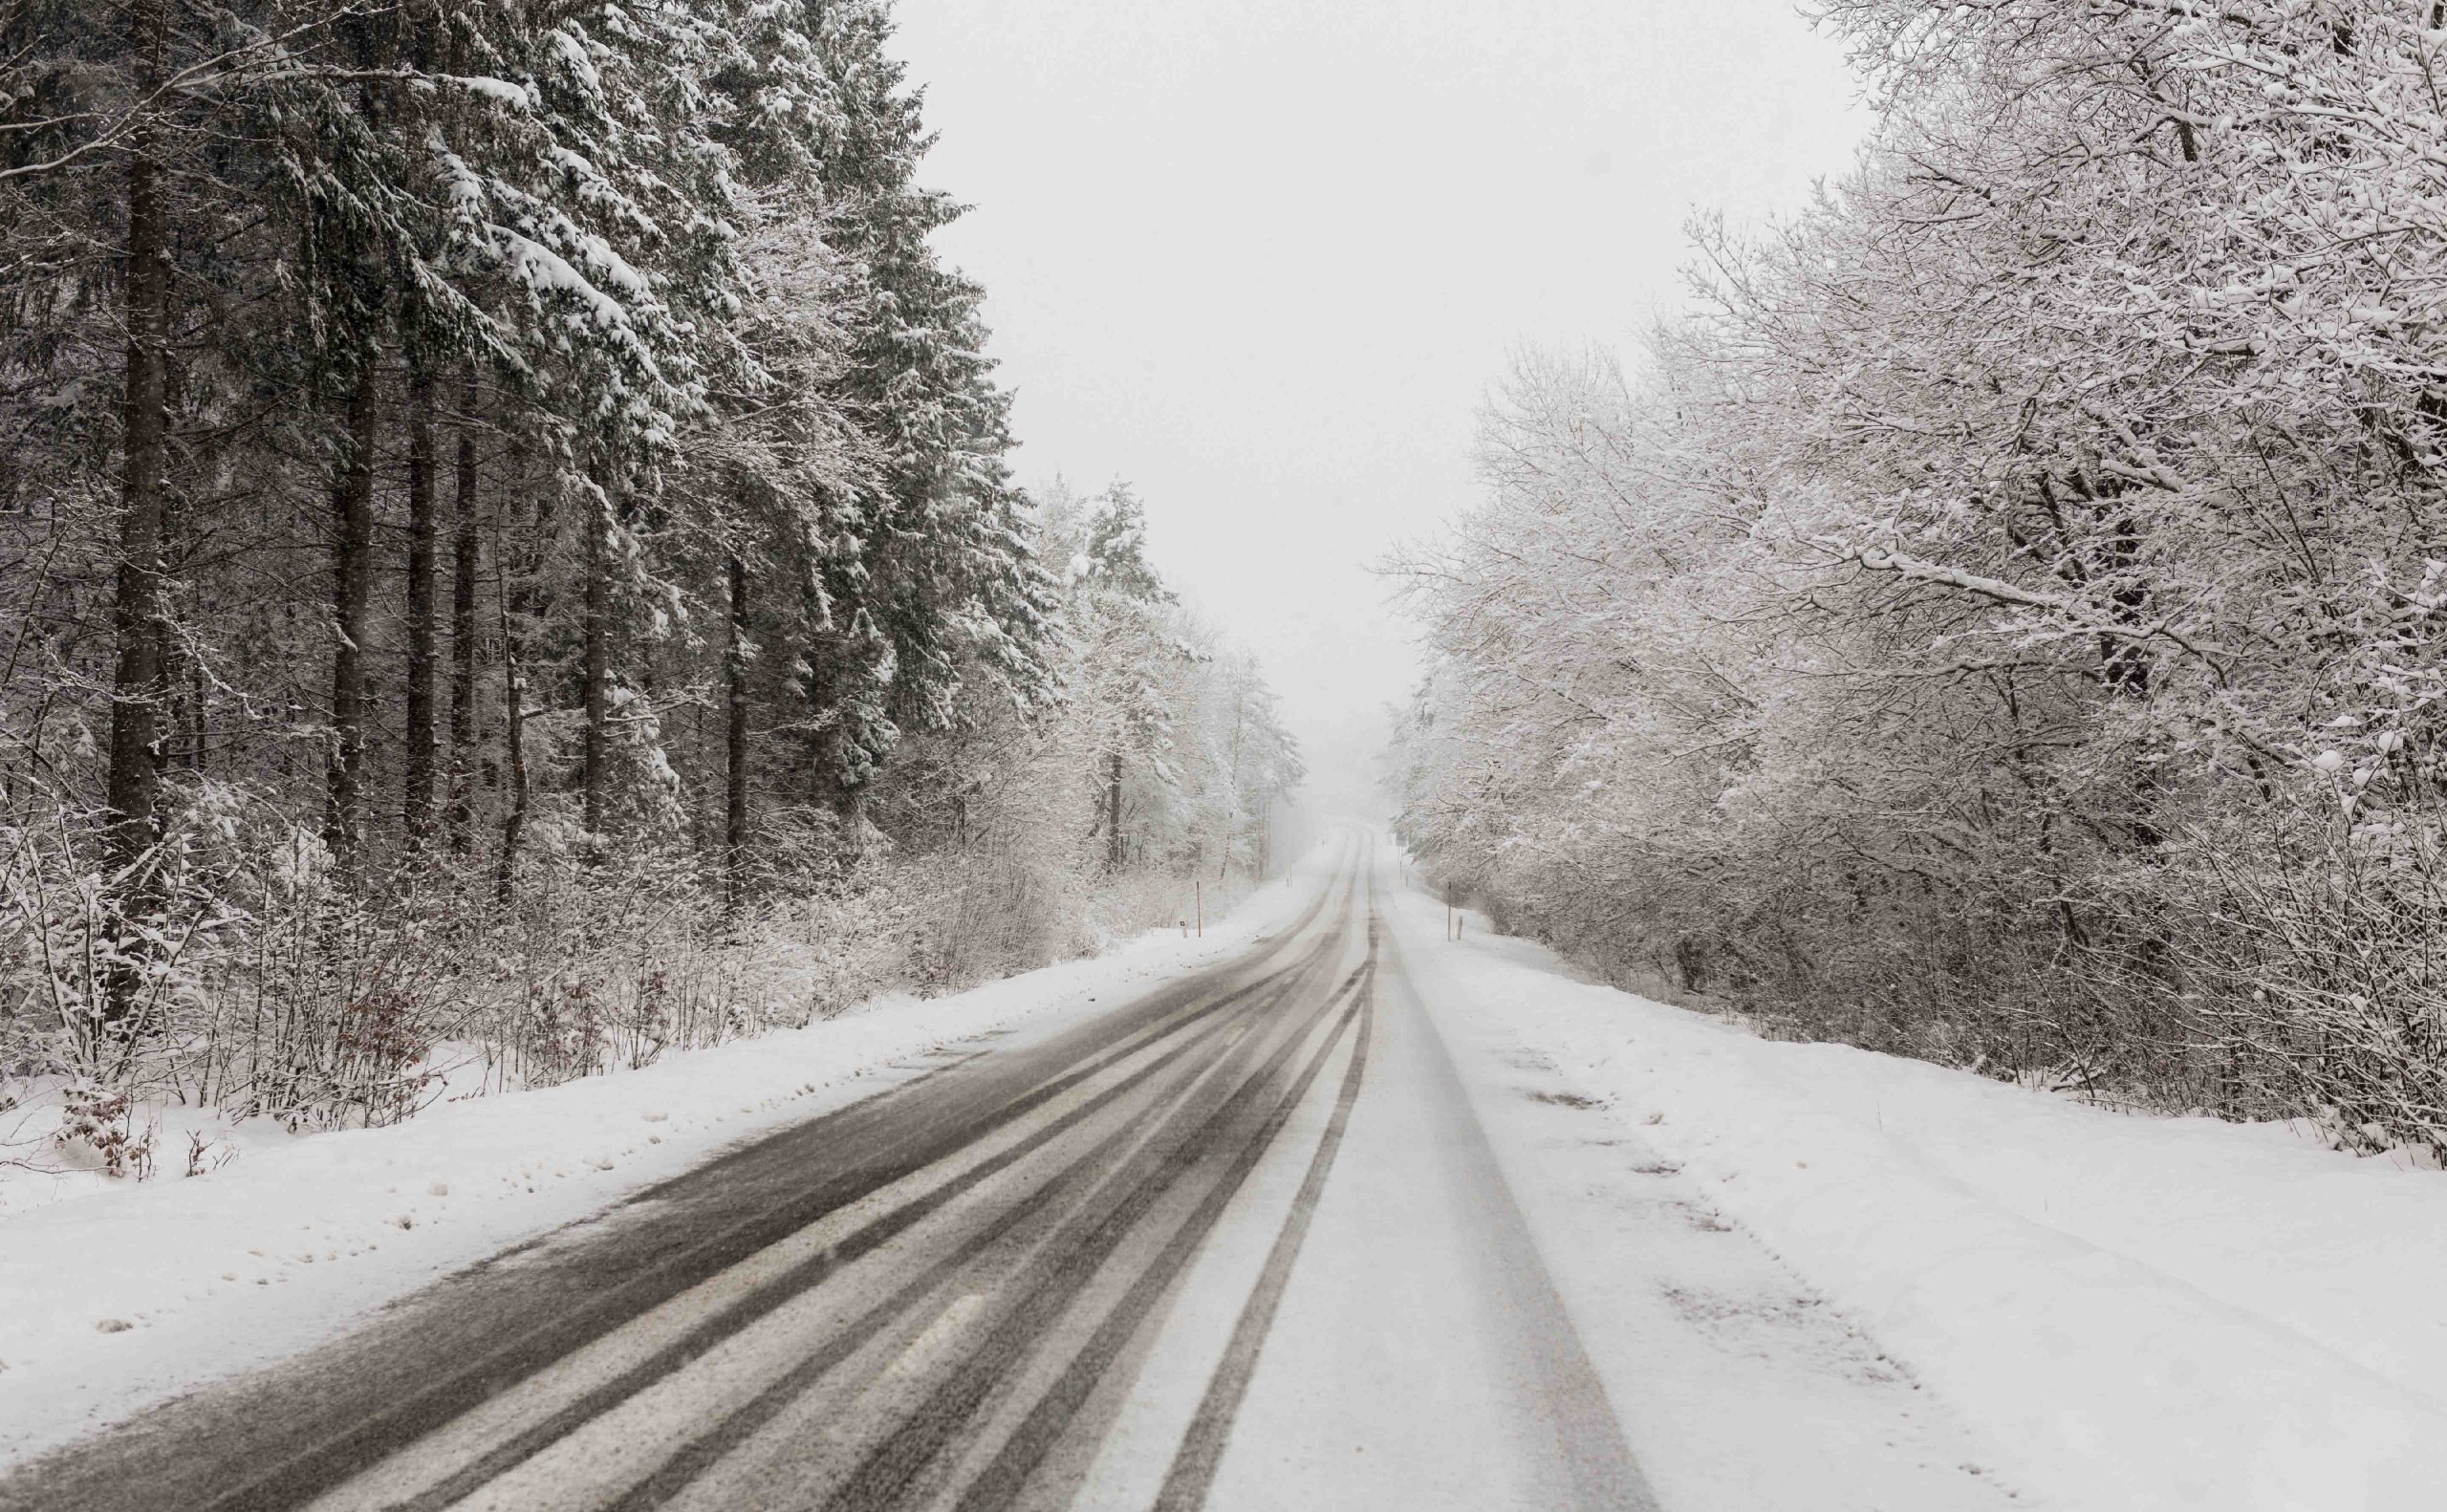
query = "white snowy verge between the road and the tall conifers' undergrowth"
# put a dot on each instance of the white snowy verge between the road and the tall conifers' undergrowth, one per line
(126, 1295)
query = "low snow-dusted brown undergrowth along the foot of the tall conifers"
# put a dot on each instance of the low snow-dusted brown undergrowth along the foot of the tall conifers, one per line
(584, 985)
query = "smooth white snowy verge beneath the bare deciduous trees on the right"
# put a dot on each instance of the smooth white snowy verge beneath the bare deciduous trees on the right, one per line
(2140, 1313)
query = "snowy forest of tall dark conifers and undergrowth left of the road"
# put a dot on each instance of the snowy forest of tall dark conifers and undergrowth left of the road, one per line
(508, 554)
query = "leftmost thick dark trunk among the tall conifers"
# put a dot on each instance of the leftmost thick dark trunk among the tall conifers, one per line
(138, 598)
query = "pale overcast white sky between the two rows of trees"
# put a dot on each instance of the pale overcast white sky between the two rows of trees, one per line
(1264, 258)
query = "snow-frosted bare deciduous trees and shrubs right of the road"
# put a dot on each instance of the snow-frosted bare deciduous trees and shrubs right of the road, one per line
(2005, 623)
